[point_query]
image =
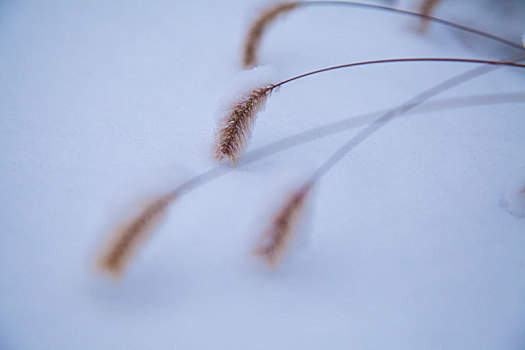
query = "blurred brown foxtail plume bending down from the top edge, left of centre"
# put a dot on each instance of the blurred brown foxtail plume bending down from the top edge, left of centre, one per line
(258, 27)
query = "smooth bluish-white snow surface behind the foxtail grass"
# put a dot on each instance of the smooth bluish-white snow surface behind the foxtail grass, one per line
(408, 246)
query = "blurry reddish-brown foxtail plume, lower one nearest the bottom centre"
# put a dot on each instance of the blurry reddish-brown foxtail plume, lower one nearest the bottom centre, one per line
(276, 239)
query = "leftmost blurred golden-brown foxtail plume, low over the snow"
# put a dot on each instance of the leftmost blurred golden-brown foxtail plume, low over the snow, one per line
(131, 235)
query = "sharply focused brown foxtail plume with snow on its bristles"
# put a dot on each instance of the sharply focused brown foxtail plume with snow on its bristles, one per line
(236, 127)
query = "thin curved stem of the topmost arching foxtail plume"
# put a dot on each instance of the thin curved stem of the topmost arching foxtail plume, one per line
(416, 14)
